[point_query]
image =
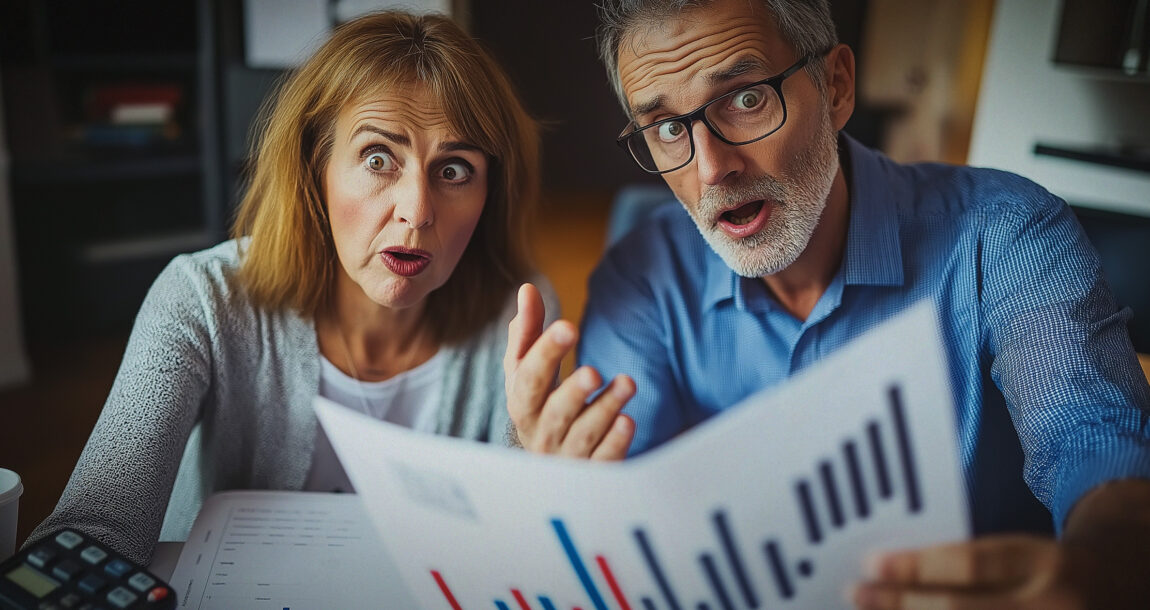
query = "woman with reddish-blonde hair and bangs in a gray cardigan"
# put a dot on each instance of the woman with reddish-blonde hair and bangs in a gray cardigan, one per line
(374, 262)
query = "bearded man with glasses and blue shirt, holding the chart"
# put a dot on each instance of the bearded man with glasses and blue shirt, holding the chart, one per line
(798, 240)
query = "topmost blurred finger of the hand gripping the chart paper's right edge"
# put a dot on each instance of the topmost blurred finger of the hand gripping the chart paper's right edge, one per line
(987, 562)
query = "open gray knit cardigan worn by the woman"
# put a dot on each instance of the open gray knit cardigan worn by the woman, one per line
(217, 394)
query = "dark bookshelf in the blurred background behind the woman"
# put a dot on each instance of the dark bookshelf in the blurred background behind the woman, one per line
(112, 117)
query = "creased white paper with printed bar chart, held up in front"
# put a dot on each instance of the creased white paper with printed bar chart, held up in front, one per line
(776, 504)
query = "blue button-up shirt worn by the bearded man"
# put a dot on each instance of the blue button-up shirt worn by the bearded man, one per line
(1033, 335)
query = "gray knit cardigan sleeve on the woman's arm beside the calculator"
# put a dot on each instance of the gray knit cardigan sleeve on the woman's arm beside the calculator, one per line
(121, 485)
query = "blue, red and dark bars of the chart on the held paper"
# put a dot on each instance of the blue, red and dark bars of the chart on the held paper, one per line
(749, 582)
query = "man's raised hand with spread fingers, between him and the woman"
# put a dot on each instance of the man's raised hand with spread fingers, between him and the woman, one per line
(559, 420)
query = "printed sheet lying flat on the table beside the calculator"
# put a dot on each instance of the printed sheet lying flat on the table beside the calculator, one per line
(286, 551)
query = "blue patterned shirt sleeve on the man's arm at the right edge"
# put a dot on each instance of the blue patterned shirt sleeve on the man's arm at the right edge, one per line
(1061, 353)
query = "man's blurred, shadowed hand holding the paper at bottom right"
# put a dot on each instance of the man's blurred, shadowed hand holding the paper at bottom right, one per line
(1102, 562)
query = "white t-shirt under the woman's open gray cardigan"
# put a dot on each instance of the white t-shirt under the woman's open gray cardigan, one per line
(408, 399)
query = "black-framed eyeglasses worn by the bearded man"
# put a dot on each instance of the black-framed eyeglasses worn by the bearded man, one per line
(742, 117)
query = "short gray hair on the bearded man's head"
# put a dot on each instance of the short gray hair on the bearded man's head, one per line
(804, 25)
